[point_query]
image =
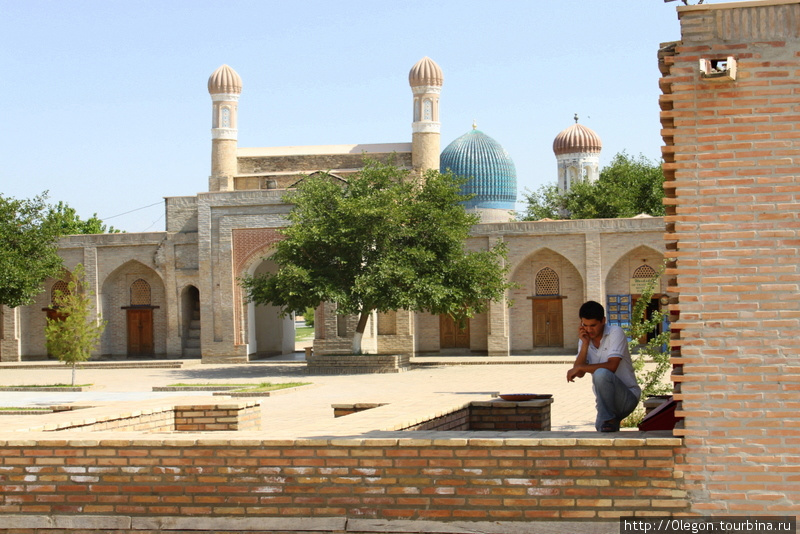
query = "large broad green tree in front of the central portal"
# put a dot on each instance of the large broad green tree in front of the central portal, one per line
(386, 240)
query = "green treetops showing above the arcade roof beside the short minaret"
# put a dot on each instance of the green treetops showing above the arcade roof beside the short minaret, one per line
(627, 187)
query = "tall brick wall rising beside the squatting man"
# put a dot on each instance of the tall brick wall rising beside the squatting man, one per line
(733, 194)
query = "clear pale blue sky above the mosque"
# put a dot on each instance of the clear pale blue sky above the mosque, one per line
(106, 107)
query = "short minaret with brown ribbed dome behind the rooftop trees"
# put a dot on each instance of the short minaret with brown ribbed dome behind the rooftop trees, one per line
(577, 150)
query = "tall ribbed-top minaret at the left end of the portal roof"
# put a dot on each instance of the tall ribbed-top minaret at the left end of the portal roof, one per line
(224, 85)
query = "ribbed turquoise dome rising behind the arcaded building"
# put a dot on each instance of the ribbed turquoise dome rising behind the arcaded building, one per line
(494, 177)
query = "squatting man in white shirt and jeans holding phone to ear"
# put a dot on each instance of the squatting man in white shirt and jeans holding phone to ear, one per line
(603, 353)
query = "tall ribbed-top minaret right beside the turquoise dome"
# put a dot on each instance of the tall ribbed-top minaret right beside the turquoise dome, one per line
(426, 81)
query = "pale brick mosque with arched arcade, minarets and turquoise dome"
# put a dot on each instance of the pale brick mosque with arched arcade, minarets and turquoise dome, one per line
(175, 294)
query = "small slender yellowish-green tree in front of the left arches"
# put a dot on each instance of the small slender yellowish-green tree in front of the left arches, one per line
(73, 335)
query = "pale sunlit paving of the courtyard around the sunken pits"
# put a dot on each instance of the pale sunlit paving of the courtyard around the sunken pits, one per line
(435, 383)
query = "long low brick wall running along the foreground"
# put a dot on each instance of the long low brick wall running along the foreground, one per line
(444, 479)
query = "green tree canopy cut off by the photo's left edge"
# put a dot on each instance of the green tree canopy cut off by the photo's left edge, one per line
(28, 249)
